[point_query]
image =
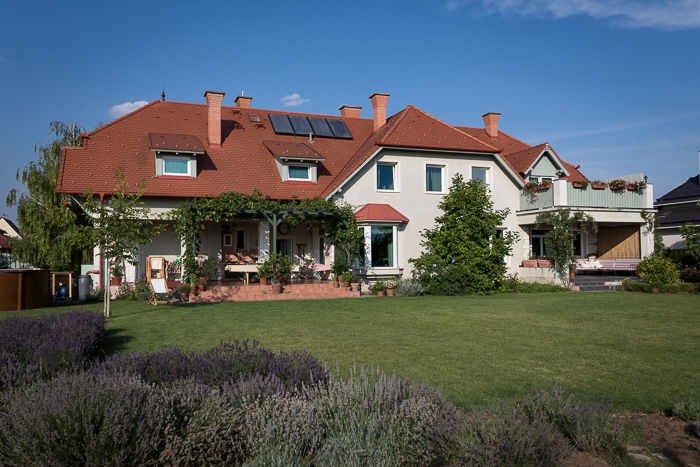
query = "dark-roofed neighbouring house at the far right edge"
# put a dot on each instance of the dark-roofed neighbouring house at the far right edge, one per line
(679, 207)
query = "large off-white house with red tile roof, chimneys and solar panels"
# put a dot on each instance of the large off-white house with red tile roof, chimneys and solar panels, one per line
(394, 171)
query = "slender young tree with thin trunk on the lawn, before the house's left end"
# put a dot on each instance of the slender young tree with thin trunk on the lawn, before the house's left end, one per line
(118, 225)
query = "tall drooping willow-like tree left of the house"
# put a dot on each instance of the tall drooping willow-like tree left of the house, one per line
(50, 230)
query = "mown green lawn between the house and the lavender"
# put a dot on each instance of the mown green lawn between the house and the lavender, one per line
(641, 350)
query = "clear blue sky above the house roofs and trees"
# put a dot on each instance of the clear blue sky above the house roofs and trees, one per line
(611, 84)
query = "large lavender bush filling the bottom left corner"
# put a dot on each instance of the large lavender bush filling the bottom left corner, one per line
(82, 419)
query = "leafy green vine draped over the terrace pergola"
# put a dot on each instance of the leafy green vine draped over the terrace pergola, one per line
(190, 216)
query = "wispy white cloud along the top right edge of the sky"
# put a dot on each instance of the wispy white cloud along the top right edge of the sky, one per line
(660, 14)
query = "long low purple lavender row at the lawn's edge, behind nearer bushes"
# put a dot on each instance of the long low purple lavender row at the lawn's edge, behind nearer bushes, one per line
(227, 363)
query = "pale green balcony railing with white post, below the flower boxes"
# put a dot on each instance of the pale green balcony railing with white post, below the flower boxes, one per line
(563, 194)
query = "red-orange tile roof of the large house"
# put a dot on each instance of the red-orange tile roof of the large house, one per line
(243, 161)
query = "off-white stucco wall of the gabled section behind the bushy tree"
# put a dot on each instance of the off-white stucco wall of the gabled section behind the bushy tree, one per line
(421, 207)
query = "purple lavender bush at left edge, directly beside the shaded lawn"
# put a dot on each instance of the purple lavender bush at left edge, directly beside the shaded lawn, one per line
(36, 348)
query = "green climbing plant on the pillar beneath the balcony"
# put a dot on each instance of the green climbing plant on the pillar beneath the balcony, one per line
(560, 240)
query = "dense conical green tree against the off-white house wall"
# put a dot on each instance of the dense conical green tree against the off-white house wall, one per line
(465, 244)
